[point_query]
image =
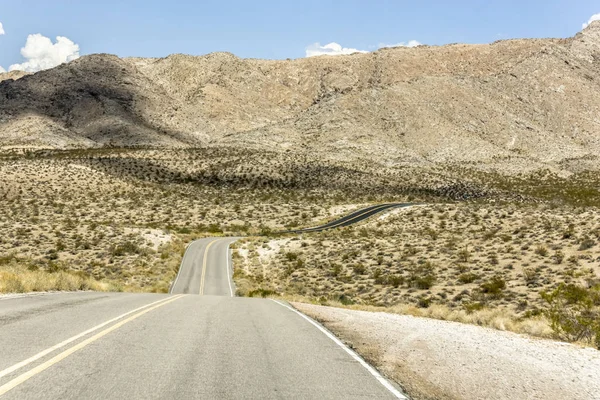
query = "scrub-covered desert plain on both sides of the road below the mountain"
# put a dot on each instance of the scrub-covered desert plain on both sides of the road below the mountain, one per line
(120, 220)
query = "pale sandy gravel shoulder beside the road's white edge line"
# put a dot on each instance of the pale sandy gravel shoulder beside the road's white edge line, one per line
(435, 359)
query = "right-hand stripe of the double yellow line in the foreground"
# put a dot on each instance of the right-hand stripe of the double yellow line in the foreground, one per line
(59, 357)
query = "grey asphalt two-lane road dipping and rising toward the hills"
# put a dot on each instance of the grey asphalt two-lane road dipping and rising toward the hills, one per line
(180, 345)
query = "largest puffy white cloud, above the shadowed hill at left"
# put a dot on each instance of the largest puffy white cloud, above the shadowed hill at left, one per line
(41, 53)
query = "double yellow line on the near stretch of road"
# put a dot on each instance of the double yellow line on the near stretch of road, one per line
(61, 356)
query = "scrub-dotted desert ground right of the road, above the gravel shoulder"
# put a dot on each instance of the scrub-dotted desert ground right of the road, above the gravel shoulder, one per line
(465, 273)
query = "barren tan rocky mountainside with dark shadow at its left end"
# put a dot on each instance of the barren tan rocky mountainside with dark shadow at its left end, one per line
(512, 104)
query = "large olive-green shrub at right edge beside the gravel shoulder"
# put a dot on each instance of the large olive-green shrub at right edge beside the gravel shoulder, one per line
(574, 313)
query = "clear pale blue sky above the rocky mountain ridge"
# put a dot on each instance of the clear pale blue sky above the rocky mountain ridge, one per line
(278, 29)
